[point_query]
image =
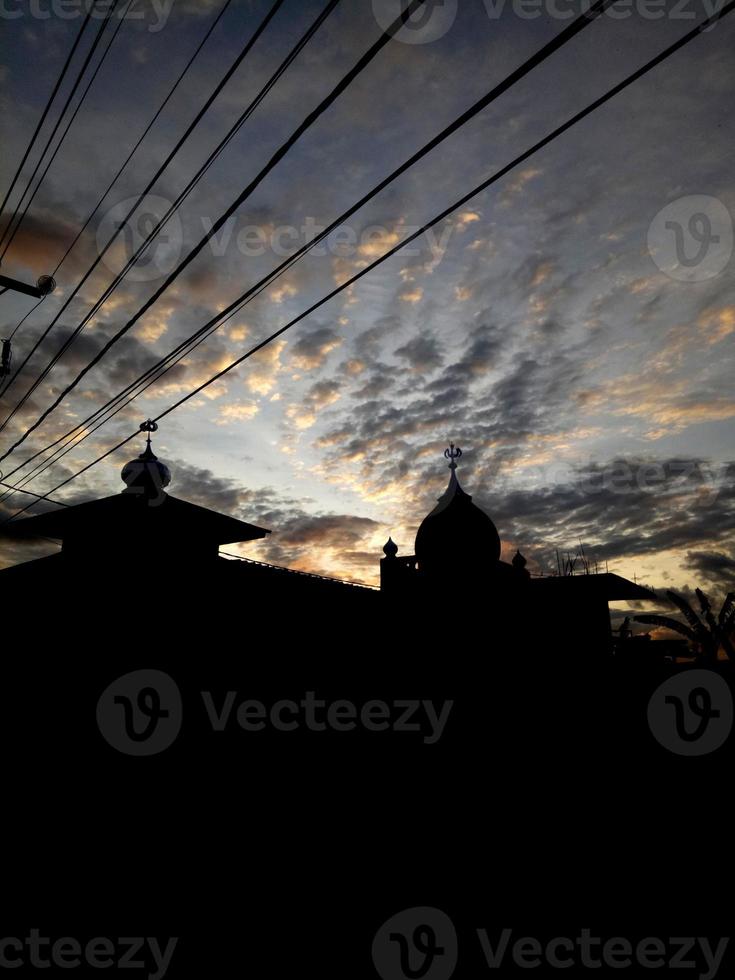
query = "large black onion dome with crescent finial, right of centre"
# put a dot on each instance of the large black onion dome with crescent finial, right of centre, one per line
(457, 534)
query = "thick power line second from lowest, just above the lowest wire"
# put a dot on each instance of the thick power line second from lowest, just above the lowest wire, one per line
(190, 343)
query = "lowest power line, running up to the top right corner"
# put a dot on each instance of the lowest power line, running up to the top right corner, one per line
(484, 185)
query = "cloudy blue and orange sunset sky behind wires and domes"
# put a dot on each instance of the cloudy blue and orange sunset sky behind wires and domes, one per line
(571, 328)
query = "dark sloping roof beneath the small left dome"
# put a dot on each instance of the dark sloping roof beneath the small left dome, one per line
(168, 516)
